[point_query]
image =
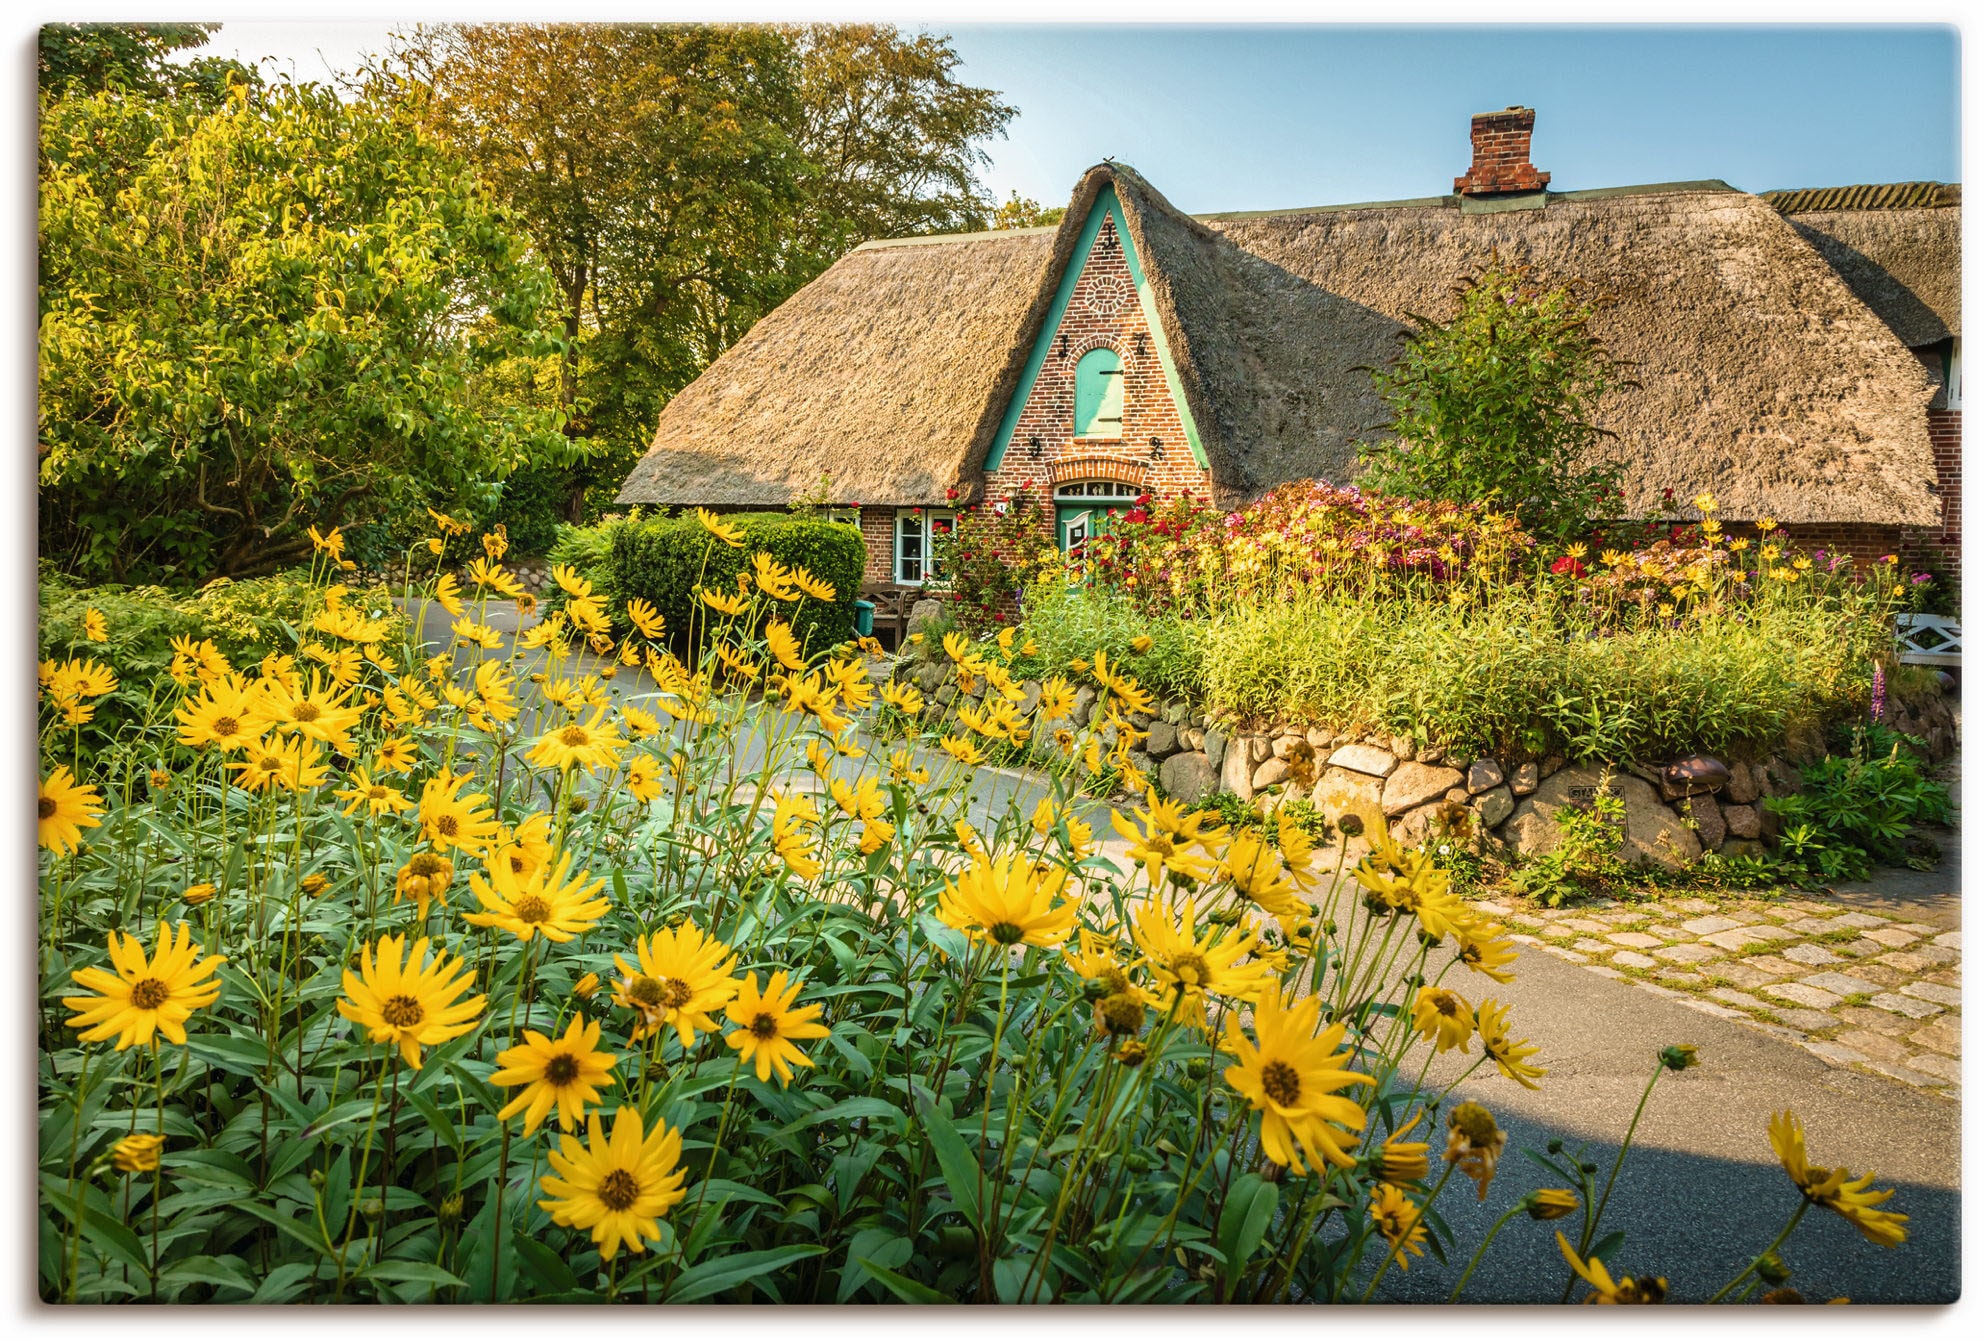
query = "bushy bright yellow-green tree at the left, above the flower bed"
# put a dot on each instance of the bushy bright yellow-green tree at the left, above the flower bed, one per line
(279, 313)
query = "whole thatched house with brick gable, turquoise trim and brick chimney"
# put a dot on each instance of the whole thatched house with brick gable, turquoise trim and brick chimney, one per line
(1241, 346)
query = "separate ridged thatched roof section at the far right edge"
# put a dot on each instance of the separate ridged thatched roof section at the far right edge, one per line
(1898, 247)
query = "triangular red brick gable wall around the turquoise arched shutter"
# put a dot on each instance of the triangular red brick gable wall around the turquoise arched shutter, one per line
(1102, 311)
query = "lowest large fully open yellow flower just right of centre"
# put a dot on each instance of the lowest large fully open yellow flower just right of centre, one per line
(1291, 1073)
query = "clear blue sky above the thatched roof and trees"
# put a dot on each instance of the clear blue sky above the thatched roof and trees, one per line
(1277, 116)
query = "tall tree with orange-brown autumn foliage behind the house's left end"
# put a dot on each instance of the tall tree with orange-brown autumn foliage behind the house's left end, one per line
(682, 182)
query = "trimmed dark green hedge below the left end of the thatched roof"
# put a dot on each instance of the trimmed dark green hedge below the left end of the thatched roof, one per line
(666, 561)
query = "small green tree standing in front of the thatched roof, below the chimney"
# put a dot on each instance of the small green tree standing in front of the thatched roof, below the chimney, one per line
(1497, 406)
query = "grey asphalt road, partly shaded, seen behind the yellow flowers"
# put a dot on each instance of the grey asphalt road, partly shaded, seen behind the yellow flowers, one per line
(1701, 1192)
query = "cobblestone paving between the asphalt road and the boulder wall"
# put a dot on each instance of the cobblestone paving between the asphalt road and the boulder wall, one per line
(1852, 988)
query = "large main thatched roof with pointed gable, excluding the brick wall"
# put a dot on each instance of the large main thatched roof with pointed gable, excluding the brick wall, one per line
(1763, 378)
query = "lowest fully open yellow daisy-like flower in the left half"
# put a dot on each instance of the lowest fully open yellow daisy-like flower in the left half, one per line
(616, 1188)
